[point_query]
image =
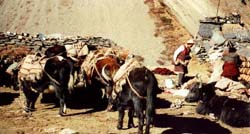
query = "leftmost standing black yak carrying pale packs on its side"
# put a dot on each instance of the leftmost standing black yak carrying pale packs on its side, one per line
(57, 71)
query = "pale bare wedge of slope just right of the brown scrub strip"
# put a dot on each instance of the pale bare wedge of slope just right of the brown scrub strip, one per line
(190, 12)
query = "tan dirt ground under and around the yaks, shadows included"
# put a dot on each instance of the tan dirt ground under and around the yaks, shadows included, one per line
(86, 115)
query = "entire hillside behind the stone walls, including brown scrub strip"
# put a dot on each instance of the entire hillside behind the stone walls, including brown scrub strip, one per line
(153, 28)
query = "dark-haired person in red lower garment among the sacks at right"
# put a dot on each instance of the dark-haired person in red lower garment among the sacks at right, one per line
(231, 64)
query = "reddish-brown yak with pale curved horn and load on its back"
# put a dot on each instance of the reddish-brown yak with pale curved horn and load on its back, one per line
(99, 67)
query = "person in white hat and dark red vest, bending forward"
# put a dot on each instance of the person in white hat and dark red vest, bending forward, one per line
(181, 59)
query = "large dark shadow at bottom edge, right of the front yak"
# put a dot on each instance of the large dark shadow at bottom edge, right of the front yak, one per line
(189, 125)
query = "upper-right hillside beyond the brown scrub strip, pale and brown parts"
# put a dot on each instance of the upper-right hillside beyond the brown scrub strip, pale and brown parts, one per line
(189, 12)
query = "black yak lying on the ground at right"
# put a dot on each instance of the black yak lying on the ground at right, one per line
(231, 111)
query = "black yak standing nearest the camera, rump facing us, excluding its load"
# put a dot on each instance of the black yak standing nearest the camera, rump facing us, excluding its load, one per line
(138, 94)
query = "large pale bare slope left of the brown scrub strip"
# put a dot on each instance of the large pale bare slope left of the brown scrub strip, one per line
(125, 22)
